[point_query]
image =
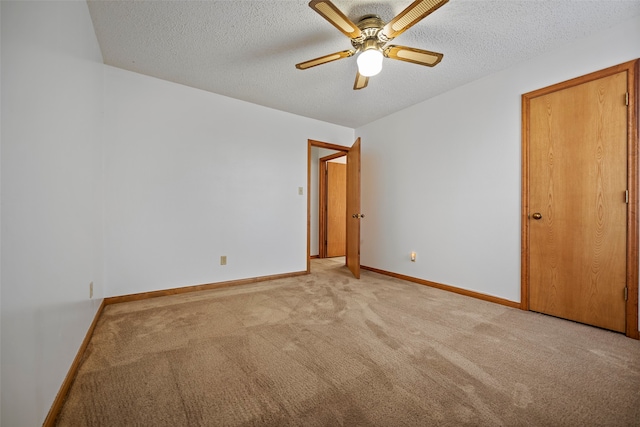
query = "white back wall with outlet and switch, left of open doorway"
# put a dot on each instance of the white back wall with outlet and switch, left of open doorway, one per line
(191, 176)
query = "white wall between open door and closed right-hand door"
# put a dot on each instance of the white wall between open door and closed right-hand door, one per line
(442, 178)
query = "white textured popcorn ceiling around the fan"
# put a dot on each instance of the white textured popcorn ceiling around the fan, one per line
(248, 49)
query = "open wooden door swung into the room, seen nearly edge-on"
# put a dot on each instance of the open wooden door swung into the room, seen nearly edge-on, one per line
(353, 209)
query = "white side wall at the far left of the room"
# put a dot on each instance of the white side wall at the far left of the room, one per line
(51, 177)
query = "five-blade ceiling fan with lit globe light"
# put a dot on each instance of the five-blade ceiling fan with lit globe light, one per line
(370, 36)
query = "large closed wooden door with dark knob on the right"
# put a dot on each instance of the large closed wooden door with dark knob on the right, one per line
(577, 213)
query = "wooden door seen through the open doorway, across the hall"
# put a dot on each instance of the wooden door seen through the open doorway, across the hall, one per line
(336, 209)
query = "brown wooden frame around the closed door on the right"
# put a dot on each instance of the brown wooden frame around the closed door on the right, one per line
(632, 69)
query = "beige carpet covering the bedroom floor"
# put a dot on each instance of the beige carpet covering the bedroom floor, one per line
(326, 349)
